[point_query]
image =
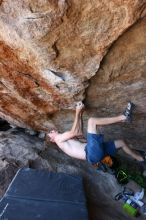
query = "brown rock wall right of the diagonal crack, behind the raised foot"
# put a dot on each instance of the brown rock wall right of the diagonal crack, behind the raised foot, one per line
(122, 77)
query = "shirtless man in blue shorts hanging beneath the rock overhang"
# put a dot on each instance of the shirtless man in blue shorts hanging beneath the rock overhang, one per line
(95, 149)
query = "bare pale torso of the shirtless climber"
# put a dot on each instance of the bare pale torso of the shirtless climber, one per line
(73, 148)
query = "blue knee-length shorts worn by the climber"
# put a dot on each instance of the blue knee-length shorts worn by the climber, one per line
(96, 149)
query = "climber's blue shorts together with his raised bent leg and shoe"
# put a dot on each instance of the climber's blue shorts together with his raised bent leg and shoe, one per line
(96, 148)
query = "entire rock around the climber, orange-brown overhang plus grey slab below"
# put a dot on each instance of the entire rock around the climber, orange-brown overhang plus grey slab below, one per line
(56, 52)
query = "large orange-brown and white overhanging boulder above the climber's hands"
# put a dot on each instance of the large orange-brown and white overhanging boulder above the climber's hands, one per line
(49, 50)
